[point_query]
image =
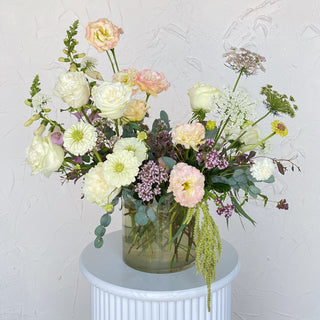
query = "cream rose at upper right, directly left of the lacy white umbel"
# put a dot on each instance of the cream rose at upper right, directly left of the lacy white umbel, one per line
(202, 97)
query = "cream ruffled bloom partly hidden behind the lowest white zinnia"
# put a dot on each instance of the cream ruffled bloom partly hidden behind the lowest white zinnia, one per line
(96, 189)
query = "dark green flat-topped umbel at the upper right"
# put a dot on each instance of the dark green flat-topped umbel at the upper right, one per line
(278, 103)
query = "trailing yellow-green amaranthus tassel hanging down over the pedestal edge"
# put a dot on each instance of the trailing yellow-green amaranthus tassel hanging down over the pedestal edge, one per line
(208, 246)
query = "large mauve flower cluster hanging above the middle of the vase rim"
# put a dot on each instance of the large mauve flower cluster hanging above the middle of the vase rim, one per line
(151, 176)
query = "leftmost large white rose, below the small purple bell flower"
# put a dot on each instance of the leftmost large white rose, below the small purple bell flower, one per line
(44, 156)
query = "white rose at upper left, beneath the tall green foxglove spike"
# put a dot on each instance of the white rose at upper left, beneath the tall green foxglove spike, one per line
(73, 88)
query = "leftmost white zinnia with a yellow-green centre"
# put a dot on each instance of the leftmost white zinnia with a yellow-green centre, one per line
(80, 138)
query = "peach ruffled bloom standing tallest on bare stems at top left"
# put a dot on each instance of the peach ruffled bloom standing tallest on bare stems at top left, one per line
(103, 34)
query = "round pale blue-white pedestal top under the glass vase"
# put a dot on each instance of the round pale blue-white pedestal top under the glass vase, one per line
(105, 269)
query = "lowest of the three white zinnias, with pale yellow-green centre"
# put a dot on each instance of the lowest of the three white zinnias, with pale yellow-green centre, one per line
(121, 168)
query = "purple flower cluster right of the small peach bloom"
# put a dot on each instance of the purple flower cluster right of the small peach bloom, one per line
(211, 157)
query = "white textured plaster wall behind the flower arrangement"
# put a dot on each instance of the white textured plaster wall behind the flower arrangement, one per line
(44, 226)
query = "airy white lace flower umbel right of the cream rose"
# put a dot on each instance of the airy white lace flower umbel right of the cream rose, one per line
(237, 106)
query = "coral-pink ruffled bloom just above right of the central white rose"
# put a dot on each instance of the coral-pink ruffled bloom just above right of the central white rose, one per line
(152, 82)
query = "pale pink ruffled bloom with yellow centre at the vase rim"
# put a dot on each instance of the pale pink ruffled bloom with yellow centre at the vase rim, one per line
(187, 184)
